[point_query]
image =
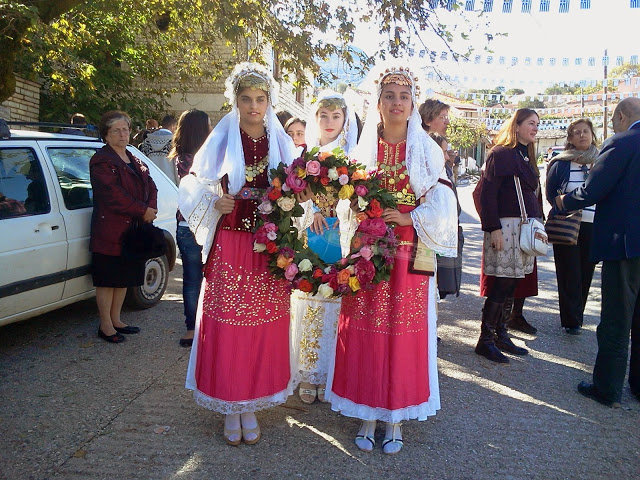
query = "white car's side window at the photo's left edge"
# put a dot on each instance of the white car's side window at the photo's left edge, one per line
(23, 190)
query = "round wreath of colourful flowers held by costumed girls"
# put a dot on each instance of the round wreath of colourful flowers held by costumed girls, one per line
(373, 245)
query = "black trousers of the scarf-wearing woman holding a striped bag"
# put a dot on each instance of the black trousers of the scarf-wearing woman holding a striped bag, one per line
(574, 272)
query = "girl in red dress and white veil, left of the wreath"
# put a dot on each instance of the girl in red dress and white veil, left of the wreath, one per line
(240, 361)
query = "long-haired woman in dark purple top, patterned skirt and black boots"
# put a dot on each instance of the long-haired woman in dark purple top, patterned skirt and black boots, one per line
(511, 161)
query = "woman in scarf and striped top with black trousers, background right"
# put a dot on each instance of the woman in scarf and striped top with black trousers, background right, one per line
(574, 271)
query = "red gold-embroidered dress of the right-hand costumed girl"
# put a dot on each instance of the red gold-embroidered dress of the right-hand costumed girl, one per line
(384, 366)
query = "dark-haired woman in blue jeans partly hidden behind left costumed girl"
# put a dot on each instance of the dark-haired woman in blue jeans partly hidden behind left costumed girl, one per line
(193, 128)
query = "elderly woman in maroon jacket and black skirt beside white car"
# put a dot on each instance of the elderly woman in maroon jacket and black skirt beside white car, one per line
(123, 193)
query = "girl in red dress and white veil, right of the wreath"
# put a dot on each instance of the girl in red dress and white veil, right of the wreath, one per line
(385, 358)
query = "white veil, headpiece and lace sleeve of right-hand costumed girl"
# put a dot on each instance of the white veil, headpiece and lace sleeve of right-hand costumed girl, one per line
(435, 219)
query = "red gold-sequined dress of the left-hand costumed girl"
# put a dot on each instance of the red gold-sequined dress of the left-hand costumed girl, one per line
(242, 358)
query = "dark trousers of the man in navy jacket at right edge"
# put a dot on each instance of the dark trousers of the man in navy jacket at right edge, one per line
(620, 315)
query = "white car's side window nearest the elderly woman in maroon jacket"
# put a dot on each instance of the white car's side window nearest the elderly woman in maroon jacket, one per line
(72, 170)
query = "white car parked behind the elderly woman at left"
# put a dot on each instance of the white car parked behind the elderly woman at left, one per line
(45, 219)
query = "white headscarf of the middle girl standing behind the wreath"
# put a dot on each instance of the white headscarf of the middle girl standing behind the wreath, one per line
(347, 138)
